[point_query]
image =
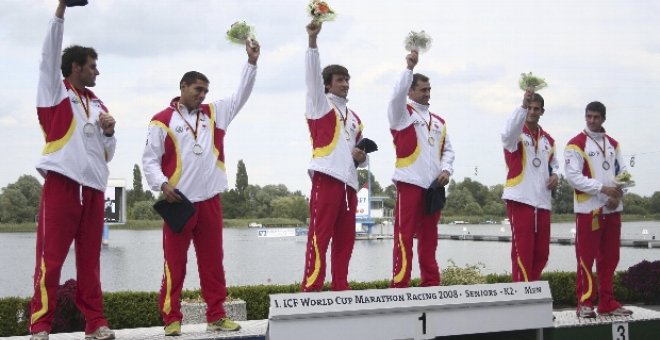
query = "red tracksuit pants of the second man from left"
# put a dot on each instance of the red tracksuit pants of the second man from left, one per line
(204, 229)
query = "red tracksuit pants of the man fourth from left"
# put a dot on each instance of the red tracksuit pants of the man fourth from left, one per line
(409, 220)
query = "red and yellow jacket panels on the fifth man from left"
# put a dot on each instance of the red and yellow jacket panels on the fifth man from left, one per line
(516, 161)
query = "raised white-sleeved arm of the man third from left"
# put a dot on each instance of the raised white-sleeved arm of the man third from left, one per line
(317, 102)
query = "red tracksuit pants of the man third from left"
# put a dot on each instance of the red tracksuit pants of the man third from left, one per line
(332, 216)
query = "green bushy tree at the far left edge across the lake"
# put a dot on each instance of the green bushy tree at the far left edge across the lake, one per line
(19, 201)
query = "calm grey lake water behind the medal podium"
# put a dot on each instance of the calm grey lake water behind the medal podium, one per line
(133, 260)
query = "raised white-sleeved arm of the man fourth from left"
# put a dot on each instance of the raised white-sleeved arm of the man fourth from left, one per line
(396, 111)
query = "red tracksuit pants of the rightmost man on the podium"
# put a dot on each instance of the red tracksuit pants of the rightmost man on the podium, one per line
(601, 245)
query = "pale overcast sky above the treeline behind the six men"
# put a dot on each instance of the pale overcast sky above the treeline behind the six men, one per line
(602, 50)
